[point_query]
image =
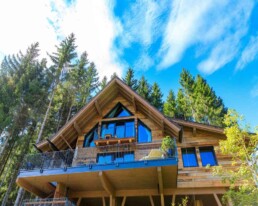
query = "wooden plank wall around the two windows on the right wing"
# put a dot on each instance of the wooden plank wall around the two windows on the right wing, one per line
(199, 177)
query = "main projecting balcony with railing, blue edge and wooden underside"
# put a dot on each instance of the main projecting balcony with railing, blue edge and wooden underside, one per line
(81, 173)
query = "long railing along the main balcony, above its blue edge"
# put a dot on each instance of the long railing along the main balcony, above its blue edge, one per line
(101, 155)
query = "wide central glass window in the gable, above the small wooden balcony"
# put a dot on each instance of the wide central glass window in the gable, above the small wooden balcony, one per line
(121, 129)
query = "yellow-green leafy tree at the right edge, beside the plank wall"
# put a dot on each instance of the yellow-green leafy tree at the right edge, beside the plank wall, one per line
(242, 147)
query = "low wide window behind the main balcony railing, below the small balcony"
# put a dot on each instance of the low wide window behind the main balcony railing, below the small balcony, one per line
(106, 158)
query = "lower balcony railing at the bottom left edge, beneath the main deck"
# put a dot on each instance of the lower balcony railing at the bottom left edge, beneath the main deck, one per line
(48, 202)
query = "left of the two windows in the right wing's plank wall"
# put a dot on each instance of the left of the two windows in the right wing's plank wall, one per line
(189, 157)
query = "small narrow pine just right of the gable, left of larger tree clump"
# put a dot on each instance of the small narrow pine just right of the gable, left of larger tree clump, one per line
(169, 108)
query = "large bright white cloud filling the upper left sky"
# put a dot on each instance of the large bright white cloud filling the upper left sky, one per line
(47, 22)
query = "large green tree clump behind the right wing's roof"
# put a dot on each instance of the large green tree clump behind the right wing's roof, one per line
(197, 101)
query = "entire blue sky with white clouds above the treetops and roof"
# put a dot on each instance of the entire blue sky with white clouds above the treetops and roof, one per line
(217, 39)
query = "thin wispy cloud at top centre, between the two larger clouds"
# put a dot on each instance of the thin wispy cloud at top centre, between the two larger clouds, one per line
(142, 22)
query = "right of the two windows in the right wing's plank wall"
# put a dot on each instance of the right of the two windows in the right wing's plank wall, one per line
(207, 156)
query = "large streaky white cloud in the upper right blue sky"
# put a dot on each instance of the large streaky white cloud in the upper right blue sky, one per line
(215, 27)
